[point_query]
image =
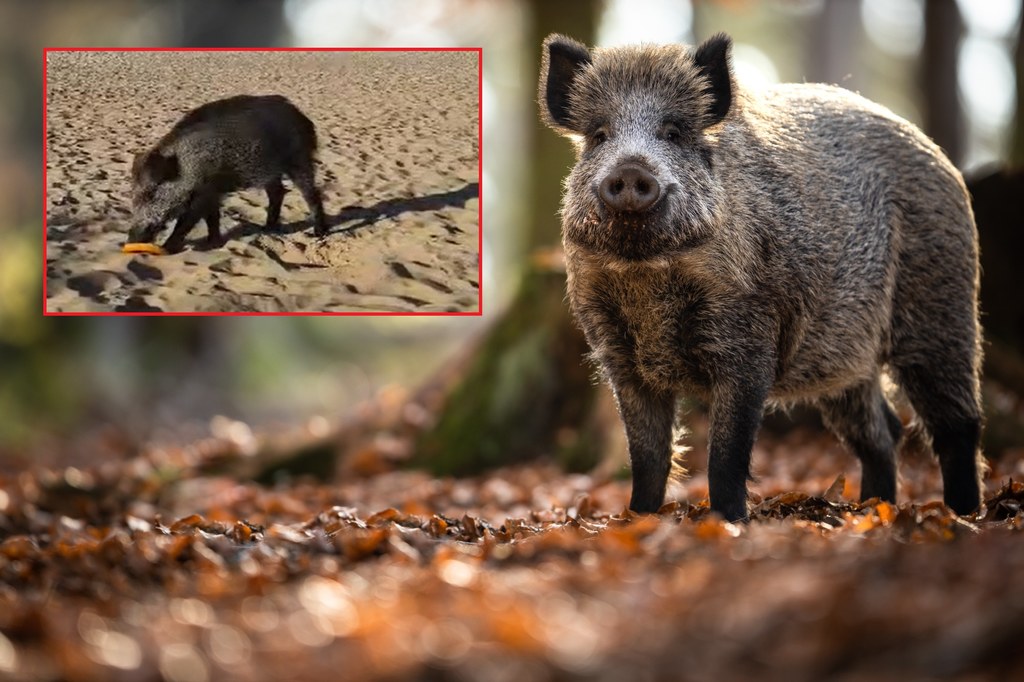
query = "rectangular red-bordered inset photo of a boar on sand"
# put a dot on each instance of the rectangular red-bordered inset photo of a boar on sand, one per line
(285, 182)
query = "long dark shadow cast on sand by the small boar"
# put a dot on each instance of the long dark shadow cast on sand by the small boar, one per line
(366, 217)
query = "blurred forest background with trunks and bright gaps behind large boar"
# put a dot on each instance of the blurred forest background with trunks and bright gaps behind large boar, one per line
(954, 67)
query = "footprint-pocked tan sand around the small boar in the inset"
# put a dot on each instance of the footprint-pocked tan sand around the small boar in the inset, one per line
(399, 161)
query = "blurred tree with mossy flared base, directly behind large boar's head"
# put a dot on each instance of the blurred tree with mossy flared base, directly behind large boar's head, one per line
(527, 390)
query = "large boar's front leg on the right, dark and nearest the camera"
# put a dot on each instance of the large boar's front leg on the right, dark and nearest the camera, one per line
(736, 416)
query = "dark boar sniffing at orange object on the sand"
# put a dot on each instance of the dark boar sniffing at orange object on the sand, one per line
(228, 145)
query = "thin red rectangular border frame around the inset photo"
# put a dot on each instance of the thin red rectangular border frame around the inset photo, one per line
(480, 173)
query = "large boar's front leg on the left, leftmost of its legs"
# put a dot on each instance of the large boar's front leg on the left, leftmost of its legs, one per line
(649, 416)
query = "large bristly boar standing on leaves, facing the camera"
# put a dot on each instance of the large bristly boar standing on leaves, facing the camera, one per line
(759, 247)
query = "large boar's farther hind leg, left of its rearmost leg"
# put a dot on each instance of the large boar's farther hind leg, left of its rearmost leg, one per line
(862, 418)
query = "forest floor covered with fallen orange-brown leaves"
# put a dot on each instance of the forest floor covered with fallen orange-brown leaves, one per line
(153, 566)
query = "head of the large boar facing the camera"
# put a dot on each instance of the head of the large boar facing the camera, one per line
(644, 120)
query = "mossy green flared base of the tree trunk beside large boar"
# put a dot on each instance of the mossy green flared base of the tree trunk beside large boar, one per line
(527, 391)
